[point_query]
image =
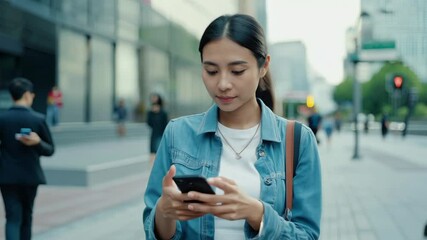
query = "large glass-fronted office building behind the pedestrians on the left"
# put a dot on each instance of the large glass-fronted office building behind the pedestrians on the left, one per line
(98, 51)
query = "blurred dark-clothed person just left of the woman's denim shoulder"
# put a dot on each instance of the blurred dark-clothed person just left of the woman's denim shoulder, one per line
(157, 119)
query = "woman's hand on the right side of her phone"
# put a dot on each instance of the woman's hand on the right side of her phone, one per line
(233, 205)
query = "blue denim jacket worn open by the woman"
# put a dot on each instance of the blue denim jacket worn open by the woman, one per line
(191, 145)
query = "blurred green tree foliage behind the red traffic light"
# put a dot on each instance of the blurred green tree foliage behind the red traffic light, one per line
(375, 94)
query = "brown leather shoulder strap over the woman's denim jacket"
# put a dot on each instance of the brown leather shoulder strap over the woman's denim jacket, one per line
(293, 133)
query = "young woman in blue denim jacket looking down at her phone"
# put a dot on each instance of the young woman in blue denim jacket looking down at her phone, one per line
(239, 146)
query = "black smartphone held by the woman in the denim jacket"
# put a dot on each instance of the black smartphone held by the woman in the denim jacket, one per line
(193, 183)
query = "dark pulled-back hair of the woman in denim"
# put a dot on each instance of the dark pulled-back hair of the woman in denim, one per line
(247, 32)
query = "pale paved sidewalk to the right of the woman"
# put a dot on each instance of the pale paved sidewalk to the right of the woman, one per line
(380, 196)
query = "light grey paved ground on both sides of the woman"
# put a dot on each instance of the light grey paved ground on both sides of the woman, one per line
(380, 196)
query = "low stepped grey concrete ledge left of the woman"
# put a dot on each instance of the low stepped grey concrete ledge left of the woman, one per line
(89, 155)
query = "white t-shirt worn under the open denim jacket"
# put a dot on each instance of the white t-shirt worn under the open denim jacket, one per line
(242, 171)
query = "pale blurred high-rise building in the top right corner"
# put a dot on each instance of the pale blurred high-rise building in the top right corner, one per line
(405, 22)
